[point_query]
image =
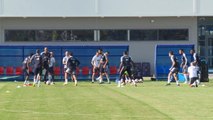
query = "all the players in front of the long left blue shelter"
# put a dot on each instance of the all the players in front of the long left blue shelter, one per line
(44, 62)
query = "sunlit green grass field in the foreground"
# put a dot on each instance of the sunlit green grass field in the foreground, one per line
(148, 101)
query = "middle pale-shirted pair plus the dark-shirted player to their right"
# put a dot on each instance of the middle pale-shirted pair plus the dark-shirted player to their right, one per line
(100, 63)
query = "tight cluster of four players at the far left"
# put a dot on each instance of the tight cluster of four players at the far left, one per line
(43, 61)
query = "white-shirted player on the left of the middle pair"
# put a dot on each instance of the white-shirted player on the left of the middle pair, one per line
(96, 64)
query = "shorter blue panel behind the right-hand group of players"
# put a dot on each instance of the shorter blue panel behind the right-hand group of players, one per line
(162, 60)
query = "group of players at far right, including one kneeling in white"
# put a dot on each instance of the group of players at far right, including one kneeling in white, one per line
(190, 72)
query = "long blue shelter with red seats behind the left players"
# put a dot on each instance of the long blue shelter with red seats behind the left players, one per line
(13, 56)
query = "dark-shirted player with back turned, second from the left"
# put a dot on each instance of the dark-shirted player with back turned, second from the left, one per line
(37, 67)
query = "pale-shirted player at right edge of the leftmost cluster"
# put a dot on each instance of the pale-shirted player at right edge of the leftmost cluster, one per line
(51, 69)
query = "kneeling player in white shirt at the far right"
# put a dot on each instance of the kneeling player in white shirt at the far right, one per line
(192, 70)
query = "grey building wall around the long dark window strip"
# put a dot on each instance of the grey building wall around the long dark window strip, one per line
(140, 51)
